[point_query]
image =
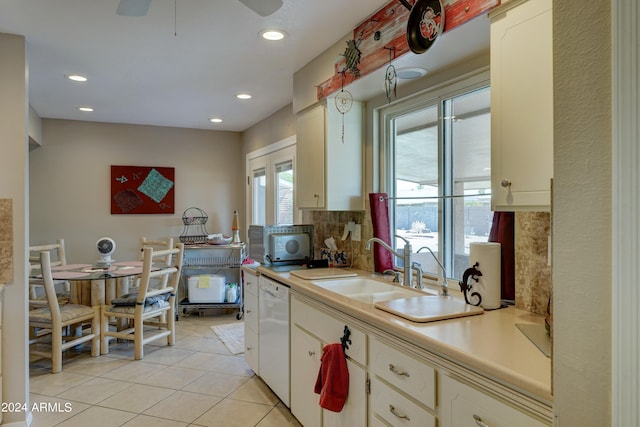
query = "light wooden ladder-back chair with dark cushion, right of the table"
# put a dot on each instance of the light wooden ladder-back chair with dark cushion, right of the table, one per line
(151, 311)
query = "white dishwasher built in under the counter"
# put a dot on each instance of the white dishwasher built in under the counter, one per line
(274, 336)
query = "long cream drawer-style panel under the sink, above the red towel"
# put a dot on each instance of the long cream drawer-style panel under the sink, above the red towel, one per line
(329, 329)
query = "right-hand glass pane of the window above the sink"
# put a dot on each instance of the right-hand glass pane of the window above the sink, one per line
(469, 131)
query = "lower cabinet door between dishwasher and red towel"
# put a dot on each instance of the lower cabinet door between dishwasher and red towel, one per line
(306, 351)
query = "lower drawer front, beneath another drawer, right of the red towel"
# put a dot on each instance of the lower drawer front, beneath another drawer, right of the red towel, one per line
(397, 410)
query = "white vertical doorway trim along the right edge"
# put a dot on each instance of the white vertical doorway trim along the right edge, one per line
(626, 214)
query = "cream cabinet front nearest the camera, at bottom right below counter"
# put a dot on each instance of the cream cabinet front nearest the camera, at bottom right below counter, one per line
(462, 406)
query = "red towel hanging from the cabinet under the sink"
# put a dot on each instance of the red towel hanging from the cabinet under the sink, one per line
(333, 378)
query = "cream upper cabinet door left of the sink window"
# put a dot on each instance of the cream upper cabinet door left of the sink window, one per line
(310, 153)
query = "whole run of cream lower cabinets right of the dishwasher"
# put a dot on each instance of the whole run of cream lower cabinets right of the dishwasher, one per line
(393, 383)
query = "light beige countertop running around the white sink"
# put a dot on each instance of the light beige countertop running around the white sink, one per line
(489, 343)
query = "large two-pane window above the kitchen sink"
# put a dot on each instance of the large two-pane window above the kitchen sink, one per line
(438, 163)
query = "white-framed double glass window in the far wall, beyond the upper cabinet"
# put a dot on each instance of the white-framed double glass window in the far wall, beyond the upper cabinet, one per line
(270, 199)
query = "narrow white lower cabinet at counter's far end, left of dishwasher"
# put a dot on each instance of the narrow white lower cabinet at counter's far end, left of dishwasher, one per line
(252, 350)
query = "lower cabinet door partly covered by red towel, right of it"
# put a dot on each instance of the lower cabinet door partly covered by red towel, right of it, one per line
(354, 412)
